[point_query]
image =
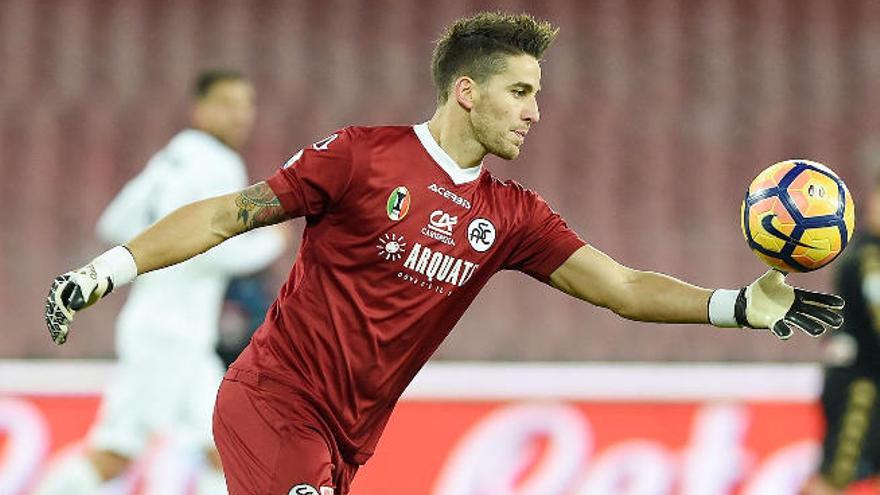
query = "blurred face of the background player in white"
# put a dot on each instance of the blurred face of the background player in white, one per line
(227, 111)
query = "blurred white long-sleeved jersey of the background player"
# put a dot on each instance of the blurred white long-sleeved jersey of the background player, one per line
(177, 308)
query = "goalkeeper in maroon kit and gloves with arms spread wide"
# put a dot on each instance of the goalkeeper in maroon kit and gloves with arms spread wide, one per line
(404, 227)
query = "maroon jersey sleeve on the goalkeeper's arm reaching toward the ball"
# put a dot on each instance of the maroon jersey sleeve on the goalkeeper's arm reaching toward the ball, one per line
(545, 241)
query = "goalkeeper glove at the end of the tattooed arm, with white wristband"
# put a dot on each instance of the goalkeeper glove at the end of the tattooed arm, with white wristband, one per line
(81, 288)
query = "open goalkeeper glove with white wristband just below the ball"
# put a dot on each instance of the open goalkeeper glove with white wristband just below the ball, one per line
(770, 303)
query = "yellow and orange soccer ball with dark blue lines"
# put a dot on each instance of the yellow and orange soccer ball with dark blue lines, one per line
(797, 216)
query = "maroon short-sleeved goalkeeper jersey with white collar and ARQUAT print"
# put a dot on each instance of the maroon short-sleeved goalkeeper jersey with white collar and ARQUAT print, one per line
(398, 242)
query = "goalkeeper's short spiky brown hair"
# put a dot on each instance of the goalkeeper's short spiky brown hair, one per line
(477, 46)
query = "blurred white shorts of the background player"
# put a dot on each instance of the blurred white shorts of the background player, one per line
(172, 392)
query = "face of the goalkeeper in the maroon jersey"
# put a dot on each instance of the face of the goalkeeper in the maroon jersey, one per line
(505, 106)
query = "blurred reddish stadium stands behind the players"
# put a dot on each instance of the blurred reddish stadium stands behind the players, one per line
(656, 114)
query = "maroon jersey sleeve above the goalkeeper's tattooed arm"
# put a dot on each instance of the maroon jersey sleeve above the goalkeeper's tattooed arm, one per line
(316, 178)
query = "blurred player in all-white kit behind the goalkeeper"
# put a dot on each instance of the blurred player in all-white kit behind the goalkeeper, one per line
(168, 372)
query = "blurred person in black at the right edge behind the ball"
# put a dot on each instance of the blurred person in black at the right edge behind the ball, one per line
(851, 443)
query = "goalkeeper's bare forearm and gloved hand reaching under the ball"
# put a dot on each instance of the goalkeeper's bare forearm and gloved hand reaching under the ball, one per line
(768, 302)
